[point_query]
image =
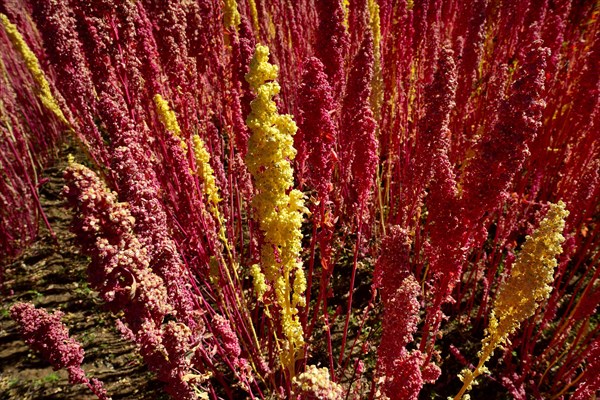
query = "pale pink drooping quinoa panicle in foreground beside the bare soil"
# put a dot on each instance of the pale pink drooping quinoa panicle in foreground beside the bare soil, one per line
(121, 271)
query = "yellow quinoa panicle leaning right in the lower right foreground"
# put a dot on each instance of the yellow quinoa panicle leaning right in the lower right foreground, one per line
(528, 283)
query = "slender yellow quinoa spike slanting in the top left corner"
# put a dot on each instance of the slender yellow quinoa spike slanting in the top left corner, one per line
(33, 65)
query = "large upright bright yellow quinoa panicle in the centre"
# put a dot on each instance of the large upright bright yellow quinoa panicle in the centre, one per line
(278, 208)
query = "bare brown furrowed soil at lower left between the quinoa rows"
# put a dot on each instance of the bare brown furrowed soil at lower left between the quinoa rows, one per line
(52, 275)
